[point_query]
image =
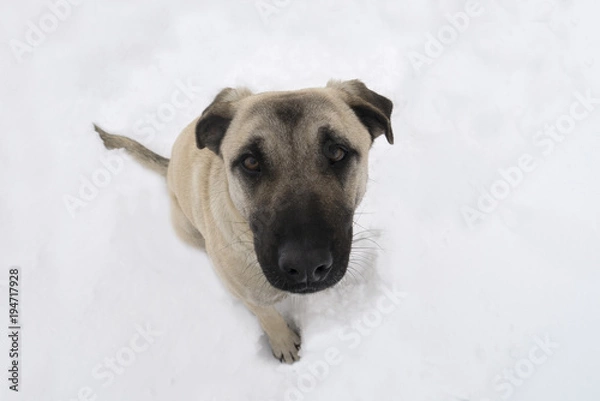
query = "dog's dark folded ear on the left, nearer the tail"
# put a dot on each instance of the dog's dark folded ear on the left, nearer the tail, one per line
(215, 119)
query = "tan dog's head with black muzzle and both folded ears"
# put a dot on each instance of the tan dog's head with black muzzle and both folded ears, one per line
(296, 164)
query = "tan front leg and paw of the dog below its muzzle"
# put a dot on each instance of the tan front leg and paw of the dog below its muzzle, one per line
(285, 343)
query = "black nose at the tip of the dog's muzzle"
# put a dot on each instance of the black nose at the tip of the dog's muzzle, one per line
(301, 265)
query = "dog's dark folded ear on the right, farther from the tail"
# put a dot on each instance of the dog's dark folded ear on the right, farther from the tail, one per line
(372, 109)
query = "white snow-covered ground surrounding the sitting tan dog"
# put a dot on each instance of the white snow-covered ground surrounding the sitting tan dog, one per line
(477, 300)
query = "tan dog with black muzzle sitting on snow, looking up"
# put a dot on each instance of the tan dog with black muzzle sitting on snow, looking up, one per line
(268, 185)
